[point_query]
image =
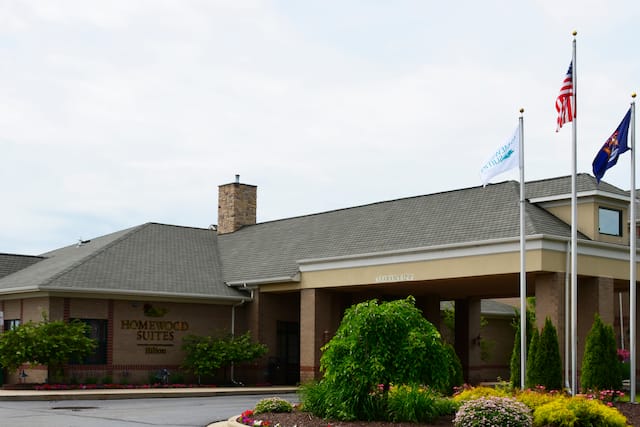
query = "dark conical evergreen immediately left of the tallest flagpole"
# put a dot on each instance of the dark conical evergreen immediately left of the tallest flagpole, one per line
(548, 358)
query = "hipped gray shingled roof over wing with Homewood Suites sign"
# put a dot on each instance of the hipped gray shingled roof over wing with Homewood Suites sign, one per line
(153, 259)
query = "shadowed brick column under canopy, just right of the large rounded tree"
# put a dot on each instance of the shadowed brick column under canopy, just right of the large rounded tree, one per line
(467, 338)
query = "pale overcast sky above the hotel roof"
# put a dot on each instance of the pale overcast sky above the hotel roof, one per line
(116, 113)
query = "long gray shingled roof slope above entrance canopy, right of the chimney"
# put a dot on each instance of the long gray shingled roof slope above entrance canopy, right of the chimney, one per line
(271, 249)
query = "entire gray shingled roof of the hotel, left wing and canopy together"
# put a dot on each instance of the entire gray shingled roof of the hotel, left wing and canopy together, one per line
(158, 259)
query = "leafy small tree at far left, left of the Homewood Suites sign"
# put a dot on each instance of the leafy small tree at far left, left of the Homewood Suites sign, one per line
(50, 343)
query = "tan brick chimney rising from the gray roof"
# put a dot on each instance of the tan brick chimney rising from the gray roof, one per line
(236, 206)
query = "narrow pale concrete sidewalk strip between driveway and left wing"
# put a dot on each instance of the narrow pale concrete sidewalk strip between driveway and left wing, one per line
(106, 394)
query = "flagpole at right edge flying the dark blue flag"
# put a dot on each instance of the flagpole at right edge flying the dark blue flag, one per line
(632, 256)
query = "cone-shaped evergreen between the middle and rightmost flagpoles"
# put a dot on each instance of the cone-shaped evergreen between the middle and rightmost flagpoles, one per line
(600, 365)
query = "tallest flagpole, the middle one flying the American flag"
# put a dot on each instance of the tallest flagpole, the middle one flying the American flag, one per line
(574, 230)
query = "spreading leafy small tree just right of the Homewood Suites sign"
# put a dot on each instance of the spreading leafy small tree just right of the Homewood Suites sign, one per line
(206, 354)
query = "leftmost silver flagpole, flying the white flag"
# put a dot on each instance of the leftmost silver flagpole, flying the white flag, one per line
(523, 271)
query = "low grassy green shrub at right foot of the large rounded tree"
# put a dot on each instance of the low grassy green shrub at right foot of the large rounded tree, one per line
(417, 404)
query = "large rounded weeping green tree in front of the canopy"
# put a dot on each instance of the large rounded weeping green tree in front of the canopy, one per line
(374, 346)
